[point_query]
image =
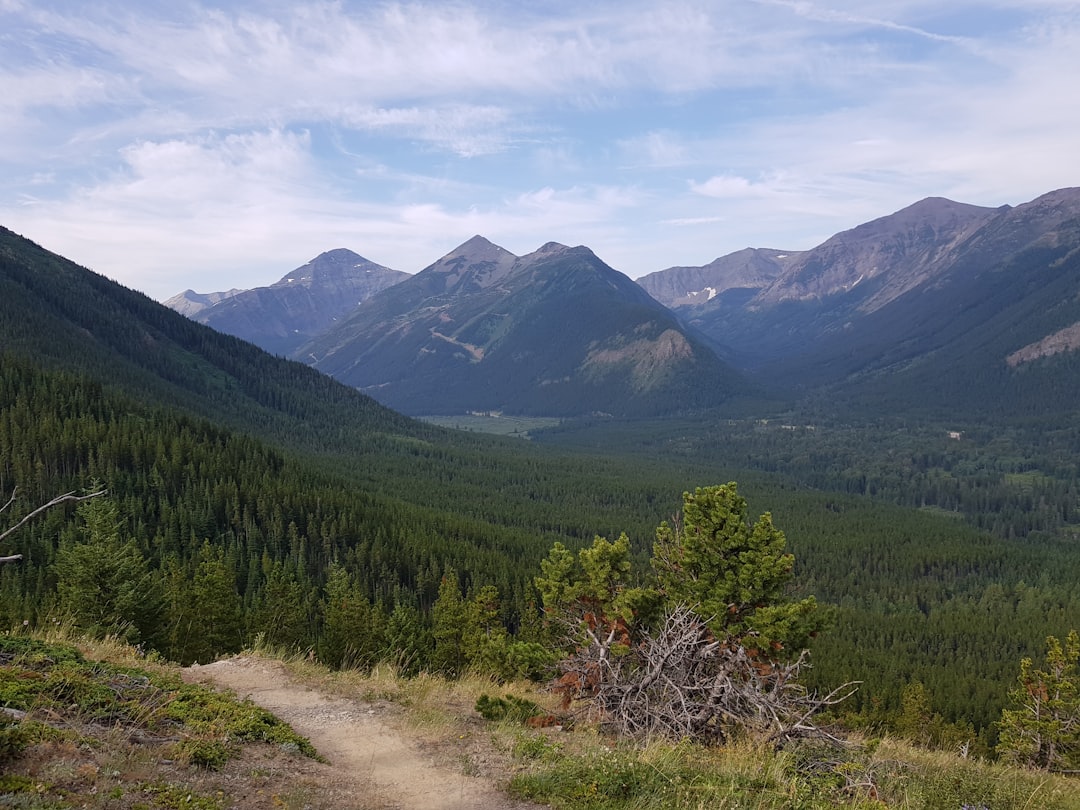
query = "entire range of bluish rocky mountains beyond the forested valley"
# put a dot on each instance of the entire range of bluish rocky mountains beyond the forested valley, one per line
(933, 306)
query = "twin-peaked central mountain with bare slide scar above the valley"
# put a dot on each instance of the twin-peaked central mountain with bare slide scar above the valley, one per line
(553, 333)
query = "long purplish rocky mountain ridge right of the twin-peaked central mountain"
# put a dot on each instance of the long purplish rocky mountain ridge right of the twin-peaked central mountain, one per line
(939, 306)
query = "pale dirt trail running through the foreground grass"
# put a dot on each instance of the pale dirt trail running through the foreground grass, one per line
(370, 757)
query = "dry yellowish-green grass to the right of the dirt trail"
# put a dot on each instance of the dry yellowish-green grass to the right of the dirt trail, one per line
(584, 769)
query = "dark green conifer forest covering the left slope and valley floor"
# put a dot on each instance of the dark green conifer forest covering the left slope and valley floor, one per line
(251, 498)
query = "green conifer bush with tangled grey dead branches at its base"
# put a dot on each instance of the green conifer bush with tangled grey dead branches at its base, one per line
(649, 663)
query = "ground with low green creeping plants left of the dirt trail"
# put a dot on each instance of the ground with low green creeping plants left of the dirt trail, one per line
(93, 724)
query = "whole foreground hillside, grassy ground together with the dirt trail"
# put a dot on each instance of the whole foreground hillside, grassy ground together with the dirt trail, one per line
(409, 744)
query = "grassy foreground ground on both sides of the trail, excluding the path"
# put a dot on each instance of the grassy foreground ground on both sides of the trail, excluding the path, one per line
(226, 749)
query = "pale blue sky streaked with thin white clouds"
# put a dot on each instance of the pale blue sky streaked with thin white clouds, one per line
(174, 145)
